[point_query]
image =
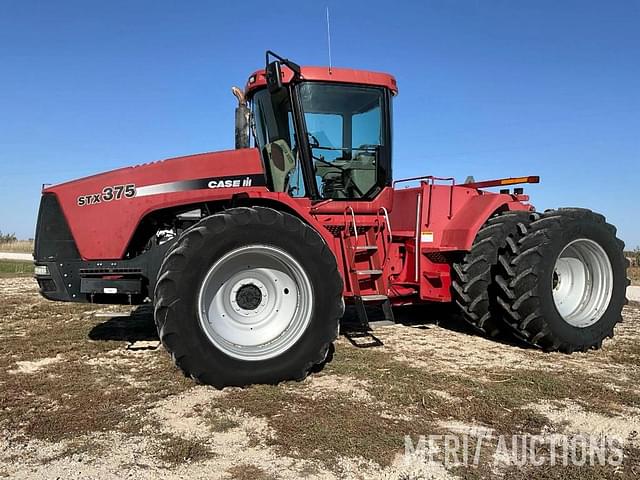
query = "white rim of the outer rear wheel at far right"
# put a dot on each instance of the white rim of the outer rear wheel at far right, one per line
(582, 283)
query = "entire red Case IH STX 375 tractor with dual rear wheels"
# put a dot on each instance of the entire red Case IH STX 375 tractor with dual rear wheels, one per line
(249, 256)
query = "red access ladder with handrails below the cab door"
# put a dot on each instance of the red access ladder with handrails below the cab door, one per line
(366, 250)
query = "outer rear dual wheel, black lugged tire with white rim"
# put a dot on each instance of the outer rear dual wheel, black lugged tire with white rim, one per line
(563, 284)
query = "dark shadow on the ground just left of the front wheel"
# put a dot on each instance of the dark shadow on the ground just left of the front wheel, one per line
(138, 326)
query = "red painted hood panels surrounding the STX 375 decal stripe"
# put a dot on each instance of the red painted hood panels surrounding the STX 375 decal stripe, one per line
(103, 231)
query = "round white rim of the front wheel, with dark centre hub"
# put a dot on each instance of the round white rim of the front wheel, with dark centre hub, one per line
(255, 302)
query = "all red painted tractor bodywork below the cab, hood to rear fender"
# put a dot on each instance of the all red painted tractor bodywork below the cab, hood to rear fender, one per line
(450, 214)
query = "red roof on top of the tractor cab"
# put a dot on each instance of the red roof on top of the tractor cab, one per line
(341, 75)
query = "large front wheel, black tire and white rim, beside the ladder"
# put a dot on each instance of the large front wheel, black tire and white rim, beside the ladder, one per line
(250, 295)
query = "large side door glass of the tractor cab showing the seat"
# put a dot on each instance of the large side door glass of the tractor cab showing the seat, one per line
(345, 133)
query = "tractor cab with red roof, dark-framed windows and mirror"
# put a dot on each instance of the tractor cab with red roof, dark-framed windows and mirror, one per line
(322, 134)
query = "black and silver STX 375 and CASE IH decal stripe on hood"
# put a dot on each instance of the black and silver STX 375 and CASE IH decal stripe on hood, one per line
(118, 192)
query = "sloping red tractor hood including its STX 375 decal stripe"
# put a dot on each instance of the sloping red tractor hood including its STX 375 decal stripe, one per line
(102, 211)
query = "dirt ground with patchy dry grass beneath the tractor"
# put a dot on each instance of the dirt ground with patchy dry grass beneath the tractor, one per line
(85, 393)
